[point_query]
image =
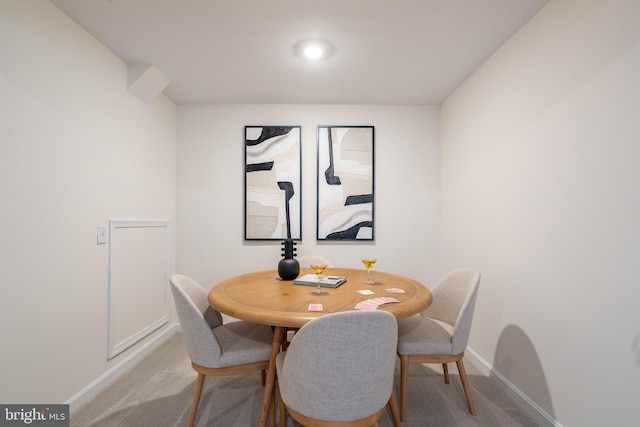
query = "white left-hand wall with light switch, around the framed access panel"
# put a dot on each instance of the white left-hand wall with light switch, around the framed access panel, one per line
(75, 150)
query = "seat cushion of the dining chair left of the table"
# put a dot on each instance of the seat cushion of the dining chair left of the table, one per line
(243, 342)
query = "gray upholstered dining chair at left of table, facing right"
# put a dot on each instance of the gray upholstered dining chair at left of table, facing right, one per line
(215, 348)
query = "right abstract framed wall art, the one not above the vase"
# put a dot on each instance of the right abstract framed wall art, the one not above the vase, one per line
(345, 183)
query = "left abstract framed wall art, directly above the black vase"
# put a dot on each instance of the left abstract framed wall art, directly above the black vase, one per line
(272, 202)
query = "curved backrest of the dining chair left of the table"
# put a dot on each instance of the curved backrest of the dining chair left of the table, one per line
(197, 319)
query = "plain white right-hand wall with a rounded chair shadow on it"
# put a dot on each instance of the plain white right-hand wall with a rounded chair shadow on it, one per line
(541, 165)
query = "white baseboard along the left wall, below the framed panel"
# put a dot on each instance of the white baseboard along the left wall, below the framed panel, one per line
(93, 389)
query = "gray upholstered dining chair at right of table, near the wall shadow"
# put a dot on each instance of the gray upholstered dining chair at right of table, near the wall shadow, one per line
(440, 333)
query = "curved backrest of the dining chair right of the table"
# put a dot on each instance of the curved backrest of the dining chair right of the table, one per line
(454, 300)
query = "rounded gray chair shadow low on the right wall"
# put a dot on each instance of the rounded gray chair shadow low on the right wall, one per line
(517, 360)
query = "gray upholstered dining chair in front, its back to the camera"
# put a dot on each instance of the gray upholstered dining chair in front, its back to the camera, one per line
(338, 370)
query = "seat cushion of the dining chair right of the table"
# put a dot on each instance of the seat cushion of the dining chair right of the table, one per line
(424, 336)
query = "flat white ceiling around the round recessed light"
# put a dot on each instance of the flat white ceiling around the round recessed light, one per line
(241, 51)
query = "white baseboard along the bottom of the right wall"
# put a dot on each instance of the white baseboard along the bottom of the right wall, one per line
(526, 404)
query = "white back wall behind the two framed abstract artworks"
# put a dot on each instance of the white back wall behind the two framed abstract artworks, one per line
(210, 244)
